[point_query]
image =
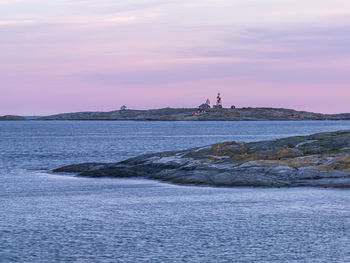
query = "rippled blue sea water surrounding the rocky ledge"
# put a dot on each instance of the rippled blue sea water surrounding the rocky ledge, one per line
(55, 218)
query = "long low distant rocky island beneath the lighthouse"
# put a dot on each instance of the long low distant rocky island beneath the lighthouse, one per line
(169, 114)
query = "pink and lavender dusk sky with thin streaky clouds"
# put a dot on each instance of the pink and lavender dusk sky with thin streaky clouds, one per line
(96, 55)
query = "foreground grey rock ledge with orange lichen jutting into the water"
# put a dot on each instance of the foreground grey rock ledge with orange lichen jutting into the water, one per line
(321, 160)
